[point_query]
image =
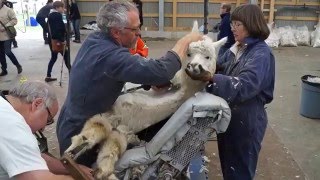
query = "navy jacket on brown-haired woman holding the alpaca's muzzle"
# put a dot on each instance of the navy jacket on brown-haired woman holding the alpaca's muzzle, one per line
(251, 77)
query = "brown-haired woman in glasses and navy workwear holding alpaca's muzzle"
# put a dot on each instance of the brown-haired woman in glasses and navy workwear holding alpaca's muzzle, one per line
(247, 84)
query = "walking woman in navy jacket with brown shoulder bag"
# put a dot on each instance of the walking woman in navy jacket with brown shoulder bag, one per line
(57, 37)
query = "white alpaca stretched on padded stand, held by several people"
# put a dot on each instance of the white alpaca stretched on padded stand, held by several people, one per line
(133, 112)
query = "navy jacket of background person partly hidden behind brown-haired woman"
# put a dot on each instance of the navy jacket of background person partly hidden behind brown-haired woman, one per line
(225, 30)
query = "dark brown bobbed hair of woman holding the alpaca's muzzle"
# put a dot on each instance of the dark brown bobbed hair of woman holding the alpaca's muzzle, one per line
(253, 20)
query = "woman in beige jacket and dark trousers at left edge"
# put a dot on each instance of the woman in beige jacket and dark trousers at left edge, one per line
(7, 20)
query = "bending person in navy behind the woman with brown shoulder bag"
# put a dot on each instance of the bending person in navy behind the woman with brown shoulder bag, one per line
(41, 19)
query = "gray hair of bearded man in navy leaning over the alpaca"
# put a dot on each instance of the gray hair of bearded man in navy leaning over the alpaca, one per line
(114, 14)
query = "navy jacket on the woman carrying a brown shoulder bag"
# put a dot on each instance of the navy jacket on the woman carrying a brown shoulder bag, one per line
(57, 28)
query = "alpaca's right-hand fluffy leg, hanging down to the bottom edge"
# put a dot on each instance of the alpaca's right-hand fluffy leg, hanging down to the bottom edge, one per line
(109, 154)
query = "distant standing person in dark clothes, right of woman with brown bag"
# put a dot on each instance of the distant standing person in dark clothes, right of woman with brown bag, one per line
(75, 20)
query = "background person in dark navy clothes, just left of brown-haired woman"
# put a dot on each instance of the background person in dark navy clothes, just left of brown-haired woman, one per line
(225, 28)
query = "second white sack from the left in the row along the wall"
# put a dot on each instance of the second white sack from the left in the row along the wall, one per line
(287, 37)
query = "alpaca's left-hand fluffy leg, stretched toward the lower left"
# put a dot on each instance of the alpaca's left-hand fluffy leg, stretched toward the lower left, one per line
(94, 131)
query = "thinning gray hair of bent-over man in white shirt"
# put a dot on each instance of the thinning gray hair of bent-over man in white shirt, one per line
(30, 90)
